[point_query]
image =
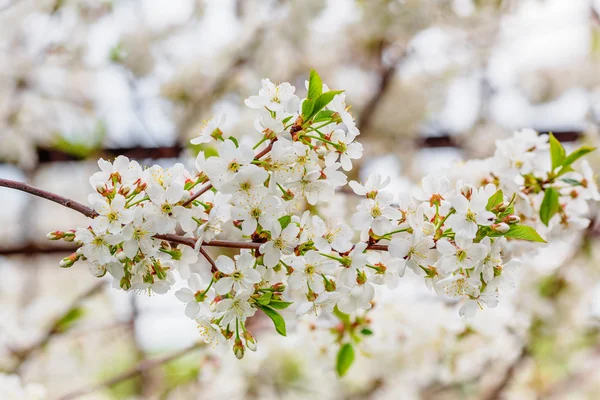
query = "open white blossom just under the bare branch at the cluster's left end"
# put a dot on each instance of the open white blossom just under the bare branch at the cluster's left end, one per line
(112, 213)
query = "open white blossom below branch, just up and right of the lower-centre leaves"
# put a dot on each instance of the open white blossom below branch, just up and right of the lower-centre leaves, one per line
(309, 271)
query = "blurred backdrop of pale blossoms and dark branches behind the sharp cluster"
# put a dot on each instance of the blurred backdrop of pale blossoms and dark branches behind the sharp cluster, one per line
(431, 82)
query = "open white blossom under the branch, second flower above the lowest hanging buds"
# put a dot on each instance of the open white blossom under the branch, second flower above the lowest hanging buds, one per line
(241, 275)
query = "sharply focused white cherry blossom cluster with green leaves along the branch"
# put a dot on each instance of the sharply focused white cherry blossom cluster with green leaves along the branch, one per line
(150, 226)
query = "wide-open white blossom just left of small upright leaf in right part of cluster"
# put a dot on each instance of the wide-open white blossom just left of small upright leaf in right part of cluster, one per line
(470, 214)
